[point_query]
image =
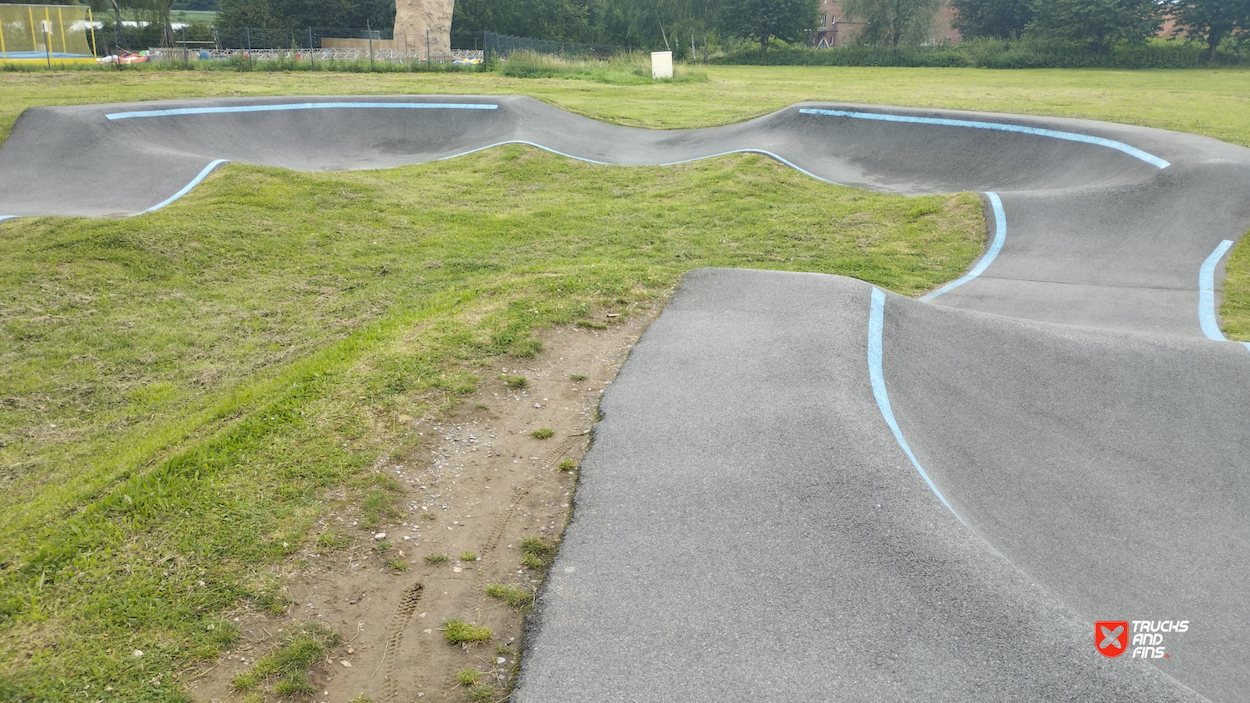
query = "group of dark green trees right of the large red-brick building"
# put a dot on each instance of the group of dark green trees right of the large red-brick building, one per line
(1103, 23)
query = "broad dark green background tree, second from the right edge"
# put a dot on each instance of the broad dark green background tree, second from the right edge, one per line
(1101, 23)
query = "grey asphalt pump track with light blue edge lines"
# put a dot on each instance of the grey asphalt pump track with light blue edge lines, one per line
(804, 488)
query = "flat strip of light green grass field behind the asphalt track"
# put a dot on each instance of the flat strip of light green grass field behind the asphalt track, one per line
(1209, 102)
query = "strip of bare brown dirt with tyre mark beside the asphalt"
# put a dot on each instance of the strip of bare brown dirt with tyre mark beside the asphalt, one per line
(476, 482)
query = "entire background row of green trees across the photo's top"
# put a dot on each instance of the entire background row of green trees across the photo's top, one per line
(683, 24)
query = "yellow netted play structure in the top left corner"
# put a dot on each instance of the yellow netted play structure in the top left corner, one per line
(62, 34)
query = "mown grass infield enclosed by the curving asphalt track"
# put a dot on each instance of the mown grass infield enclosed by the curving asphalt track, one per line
(181, 391)
